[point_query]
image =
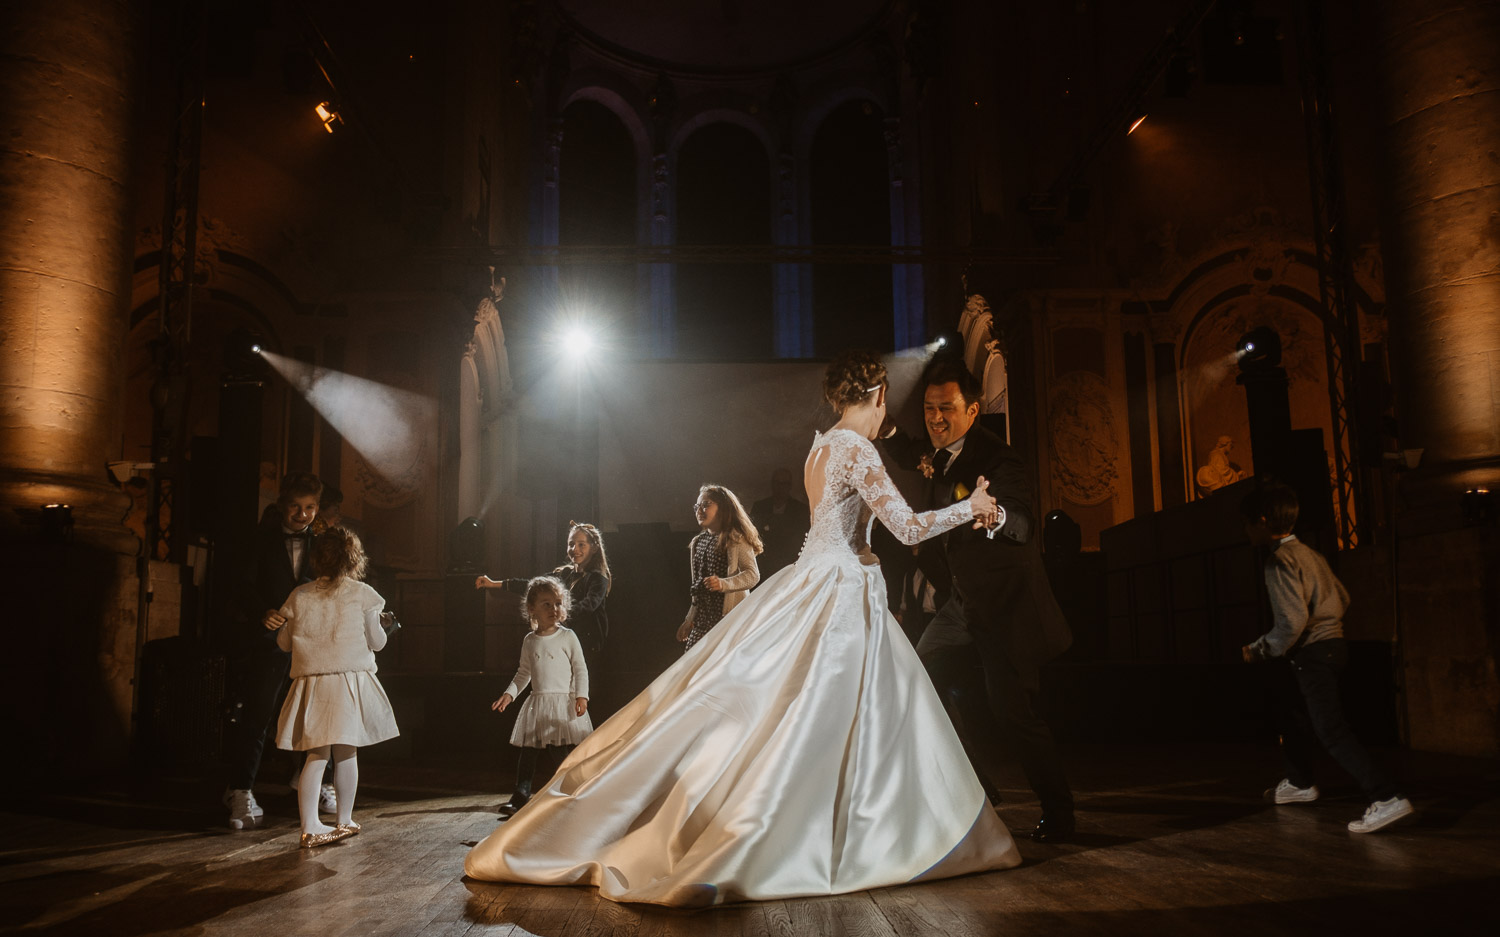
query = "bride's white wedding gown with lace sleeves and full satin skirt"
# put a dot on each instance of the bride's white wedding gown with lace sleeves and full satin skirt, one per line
(797, 750)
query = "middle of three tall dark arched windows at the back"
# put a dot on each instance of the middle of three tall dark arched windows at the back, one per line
(724, 197)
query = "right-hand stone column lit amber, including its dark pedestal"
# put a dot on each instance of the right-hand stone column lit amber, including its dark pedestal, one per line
(1441, 67)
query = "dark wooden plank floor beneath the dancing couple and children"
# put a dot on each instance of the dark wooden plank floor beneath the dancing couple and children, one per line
(1174, 840)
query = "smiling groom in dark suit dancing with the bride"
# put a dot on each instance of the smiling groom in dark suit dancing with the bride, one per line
(1003, 606)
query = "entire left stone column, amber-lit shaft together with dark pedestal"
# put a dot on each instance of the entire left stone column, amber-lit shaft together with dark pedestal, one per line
(67, 70)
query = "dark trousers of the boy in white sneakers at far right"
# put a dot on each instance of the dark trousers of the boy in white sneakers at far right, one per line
(1313, 716)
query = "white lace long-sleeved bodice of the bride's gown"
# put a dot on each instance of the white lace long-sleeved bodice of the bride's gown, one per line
(856, 486)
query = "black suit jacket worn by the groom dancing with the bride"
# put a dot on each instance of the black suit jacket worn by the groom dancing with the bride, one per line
(1001, 581)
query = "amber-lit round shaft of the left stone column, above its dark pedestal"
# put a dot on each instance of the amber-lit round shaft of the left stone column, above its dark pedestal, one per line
(65, 260)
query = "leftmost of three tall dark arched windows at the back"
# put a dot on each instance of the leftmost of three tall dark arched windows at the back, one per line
(598, 208)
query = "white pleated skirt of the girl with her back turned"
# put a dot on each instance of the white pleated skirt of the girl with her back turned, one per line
(335, 710)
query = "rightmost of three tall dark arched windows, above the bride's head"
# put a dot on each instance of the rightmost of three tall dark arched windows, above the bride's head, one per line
(851, 205)
